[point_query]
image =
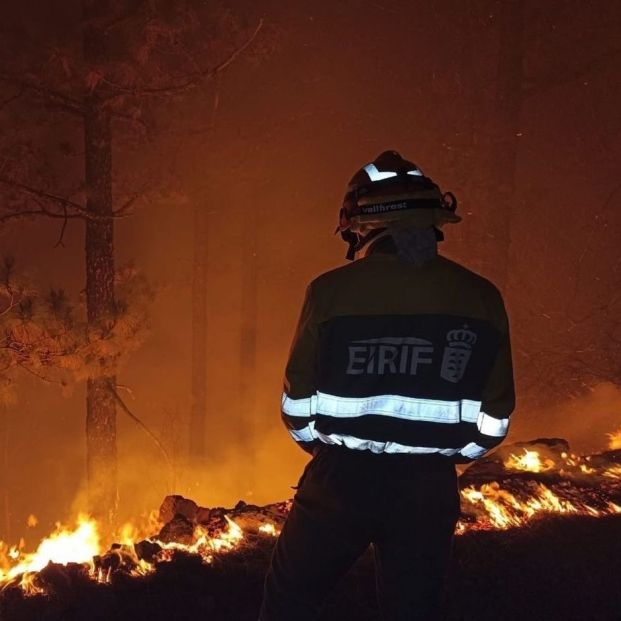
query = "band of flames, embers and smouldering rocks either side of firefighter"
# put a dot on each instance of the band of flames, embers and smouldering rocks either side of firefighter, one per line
(508, 489)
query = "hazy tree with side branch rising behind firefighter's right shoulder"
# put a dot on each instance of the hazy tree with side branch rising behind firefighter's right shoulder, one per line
(520, 31)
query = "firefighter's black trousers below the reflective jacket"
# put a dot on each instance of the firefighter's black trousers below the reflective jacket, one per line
(405, 506)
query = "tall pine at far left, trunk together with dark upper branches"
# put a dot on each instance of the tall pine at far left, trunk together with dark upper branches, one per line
(130, 57)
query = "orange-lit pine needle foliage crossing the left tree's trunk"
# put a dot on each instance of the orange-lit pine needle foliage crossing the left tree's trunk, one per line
(48, 337)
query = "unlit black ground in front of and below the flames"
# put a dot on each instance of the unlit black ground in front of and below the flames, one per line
(566, 568)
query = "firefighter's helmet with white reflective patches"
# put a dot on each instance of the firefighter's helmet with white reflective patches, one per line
(392, 192)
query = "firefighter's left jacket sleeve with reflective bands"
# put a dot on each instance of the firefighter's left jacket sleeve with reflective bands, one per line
(299, 396)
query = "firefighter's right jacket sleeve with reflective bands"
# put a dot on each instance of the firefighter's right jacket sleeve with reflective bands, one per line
(498, 397)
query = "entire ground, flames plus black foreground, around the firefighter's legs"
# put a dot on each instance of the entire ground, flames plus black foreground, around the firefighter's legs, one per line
(539, 538)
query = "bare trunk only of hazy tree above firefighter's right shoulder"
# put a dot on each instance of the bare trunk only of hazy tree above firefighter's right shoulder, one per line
(495, 236)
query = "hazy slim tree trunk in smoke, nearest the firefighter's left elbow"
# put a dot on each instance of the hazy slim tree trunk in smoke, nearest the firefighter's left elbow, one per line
(248, 339)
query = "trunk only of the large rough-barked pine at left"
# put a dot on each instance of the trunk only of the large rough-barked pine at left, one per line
(100, 302)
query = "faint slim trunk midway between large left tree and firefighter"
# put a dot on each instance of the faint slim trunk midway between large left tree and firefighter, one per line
(199, 336)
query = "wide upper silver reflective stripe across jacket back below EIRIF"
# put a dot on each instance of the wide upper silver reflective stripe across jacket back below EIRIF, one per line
(408, 408)
